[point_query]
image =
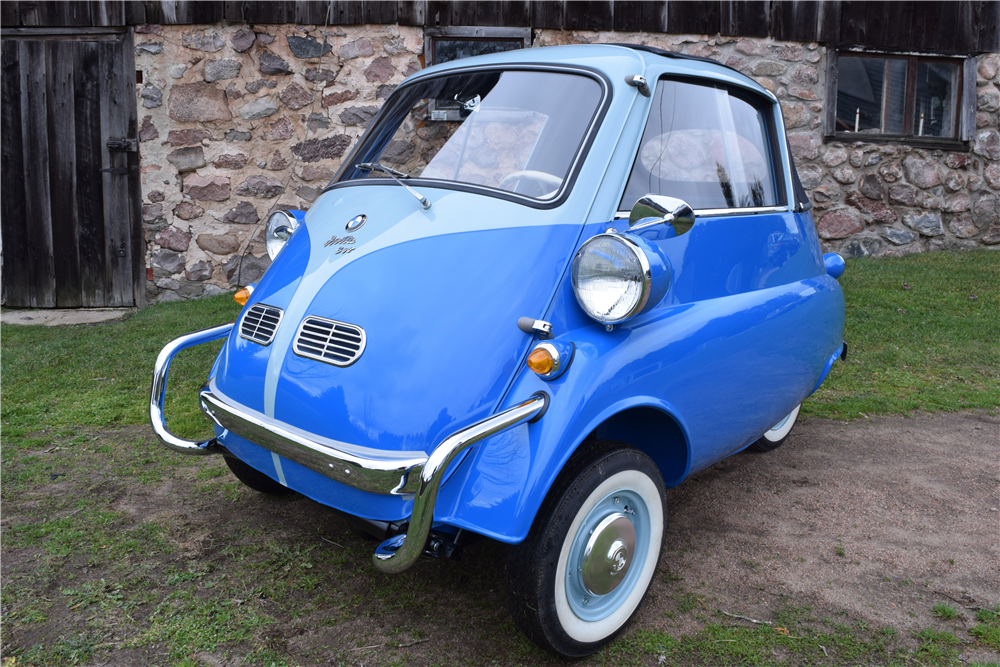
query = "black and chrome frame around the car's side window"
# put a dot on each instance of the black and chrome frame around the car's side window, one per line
(763, 105)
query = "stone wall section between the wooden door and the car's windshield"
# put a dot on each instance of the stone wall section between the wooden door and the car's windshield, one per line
(237, 121)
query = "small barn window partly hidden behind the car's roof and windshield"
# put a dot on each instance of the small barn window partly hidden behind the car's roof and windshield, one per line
(443, 45)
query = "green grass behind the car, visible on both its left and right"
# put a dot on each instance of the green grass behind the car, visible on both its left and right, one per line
(930, 347)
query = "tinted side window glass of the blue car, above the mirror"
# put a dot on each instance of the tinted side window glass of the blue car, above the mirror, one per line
(705, 145)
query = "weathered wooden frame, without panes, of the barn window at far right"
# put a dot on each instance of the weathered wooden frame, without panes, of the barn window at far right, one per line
(965, 102)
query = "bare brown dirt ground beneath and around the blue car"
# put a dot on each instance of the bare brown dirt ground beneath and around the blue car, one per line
(875, 520)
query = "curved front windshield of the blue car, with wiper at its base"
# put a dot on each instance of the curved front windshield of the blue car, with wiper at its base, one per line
(516, 131)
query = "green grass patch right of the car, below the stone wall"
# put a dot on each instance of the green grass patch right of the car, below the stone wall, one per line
(923, 333)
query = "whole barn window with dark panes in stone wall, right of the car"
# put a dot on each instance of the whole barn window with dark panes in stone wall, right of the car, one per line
(907, 98)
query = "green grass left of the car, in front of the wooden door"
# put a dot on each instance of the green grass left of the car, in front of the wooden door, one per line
(99, 375)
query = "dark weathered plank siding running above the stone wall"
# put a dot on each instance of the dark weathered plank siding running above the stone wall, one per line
(969, 26)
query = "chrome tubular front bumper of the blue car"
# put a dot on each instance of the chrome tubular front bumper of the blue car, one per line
(362, 468)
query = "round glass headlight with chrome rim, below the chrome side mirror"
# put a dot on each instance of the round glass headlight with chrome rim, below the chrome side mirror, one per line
(611, 278)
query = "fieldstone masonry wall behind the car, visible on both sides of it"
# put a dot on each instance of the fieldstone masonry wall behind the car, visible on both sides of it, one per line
(239, 120)
